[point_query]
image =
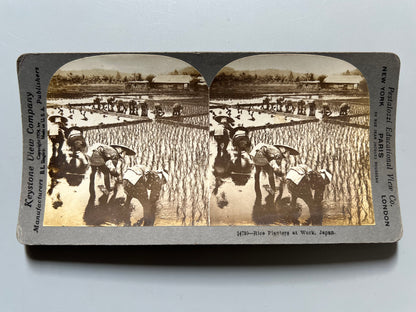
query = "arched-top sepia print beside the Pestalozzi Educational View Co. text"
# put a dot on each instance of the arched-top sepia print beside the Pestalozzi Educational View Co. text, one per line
(289, 142)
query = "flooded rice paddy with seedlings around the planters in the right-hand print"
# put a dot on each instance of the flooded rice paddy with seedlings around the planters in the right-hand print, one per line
(341, 148)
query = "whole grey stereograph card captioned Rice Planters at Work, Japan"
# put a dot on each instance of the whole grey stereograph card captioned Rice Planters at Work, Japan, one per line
(208, 148)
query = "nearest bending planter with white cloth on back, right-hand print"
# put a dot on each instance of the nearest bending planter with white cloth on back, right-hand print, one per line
(301, 181)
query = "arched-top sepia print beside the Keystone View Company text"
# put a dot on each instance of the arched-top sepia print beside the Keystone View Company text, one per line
(127, 143)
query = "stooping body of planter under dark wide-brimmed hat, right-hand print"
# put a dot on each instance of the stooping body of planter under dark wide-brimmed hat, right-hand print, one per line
(267, 158)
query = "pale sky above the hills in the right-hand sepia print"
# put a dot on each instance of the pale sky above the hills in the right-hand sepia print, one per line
(300, 63)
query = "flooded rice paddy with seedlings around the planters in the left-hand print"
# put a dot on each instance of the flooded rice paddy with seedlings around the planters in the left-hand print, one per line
(177, 147)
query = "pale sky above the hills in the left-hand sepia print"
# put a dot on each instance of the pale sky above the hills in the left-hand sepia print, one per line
(128, 63)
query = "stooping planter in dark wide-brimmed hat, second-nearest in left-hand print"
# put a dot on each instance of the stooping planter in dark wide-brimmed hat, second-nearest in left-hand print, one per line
(108, 159)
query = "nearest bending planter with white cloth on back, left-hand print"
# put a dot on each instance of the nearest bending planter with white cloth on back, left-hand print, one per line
(137, 181)
